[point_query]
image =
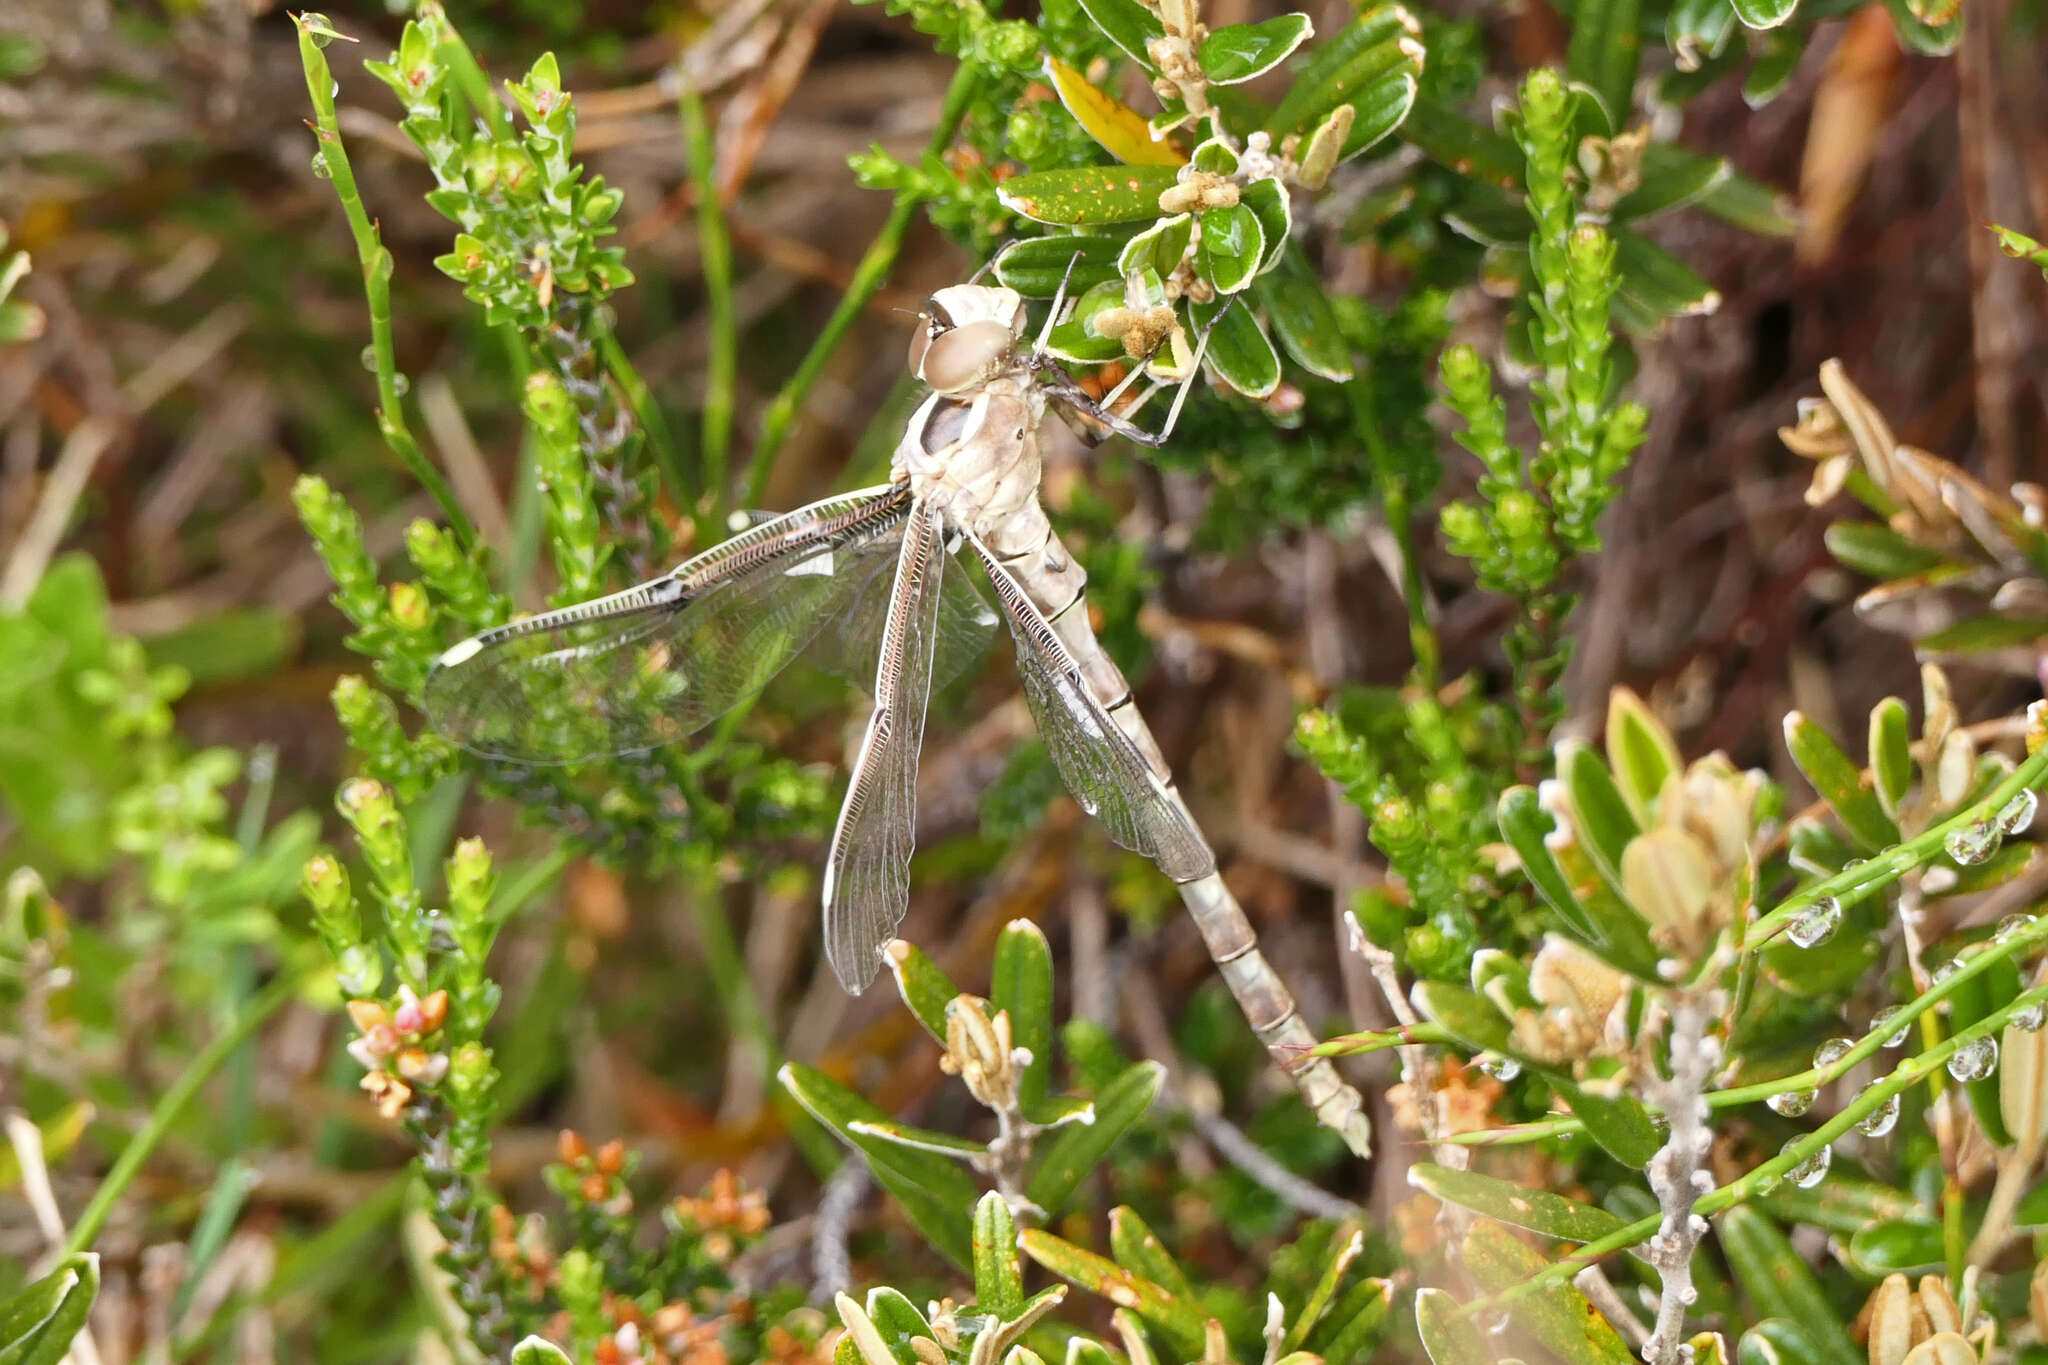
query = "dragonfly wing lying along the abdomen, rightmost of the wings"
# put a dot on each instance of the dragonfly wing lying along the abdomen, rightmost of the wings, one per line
(1099, 762)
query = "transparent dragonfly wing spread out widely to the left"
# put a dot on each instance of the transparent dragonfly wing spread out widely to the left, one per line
(658, 662)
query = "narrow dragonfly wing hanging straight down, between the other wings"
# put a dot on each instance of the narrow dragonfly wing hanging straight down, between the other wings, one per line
(867, 877)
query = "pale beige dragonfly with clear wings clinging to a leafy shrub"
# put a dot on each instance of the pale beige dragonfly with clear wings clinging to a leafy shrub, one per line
(873, 586)
